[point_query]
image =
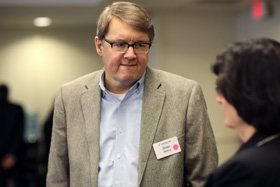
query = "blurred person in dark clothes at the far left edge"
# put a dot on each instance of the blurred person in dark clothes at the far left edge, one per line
(11, 138)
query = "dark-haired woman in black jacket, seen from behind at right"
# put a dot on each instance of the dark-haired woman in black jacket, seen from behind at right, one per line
(249, 82)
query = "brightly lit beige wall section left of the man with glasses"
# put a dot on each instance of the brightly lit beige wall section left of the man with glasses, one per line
(34, 62)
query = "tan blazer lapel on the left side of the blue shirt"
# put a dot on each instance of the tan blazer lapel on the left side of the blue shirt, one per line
(90, 101)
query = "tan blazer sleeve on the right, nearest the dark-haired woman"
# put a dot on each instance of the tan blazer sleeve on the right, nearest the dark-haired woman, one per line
(201, 152)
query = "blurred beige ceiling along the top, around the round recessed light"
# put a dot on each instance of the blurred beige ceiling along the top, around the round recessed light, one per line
(83, 13)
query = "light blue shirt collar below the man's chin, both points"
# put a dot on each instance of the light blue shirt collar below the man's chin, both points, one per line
(139, 84)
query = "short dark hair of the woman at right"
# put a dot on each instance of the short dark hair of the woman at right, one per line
(249, 78)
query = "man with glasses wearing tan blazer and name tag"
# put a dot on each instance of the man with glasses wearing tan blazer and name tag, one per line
(125, 125)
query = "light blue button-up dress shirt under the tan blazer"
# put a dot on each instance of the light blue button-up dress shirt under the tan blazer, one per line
(120, 123)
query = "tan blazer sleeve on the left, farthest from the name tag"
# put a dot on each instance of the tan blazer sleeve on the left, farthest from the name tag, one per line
(58, 165)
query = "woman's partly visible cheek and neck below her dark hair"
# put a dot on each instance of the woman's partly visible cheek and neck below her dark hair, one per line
(232, 119)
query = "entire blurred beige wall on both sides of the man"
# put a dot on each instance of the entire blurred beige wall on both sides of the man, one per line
(34, 62)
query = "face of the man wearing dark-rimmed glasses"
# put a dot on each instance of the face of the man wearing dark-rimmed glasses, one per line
(122, 70)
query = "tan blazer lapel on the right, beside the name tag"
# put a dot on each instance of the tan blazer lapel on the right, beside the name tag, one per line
(153, 101)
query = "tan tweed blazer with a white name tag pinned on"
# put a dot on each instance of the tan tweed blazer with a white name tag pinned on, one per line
(172, 106)
